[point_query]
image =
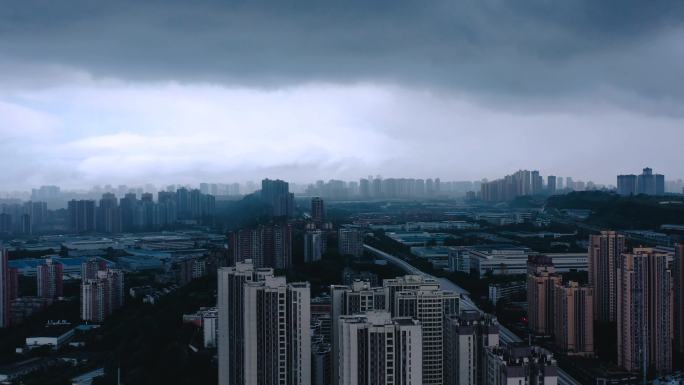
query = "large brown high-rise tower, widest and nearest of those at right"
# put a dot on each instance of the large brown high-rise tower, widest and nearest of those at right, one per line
(644, 312)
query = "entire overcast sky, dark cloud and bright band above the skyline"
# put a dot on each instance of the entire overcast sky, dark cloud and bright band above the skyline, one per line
(167, 91)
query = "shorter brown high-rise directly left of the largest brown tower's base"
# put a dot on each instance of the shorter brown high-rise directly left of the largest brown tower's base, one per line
(574, 319)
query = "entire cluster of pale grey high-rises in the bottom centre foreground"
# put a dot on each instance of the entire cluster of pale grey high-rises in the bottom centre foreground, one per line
(406, 331)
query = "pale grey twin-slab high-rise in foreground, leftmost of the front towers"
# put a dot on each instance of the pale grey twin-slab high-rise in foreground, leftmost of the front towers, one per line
(263, 328)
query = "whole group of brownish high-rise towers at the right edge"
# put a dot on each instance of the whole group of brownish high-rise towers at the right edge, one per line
(639, 291)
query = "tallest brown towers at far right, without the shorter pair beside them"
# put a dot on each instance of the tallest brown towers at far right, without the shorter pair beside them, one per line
(634, 290)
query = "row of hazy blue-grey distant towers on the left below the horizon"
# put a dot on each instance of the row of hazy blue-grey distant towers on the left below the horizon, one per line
(129, 213)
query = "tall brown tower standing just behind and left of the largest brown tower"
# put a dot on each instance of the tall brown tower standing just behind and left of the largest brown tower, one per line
(604, 258)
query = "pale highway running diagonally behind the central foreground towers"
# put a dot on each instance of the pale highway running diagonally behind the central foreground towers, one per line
(466, 303)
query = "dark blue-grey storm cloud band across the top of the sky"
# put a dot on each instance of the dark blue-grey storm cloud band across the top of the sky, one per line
(534, 47)
